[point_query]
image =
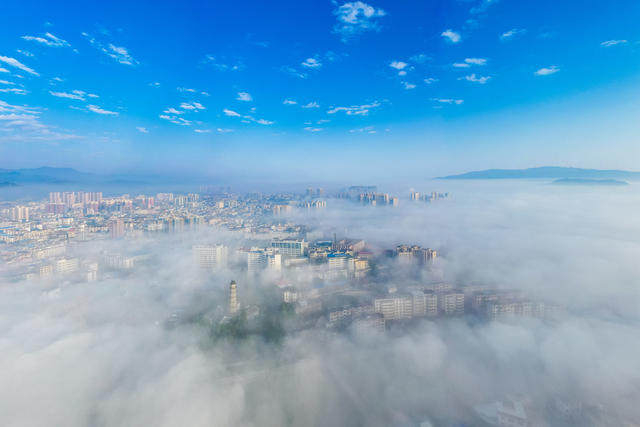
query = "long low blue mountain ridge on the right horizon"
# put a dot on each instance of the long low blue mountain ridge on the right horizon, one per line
(547, 172)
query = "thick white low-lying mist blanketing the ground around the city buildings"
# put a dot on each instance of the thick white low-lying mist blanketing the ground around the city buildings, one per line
(138, 348)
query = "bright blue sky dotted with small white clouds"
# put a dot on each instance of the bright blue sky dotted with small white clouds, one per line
(319, 88)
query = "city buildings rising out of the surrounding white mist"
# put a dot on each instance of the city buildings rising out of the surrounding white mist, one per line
(41, 240)
